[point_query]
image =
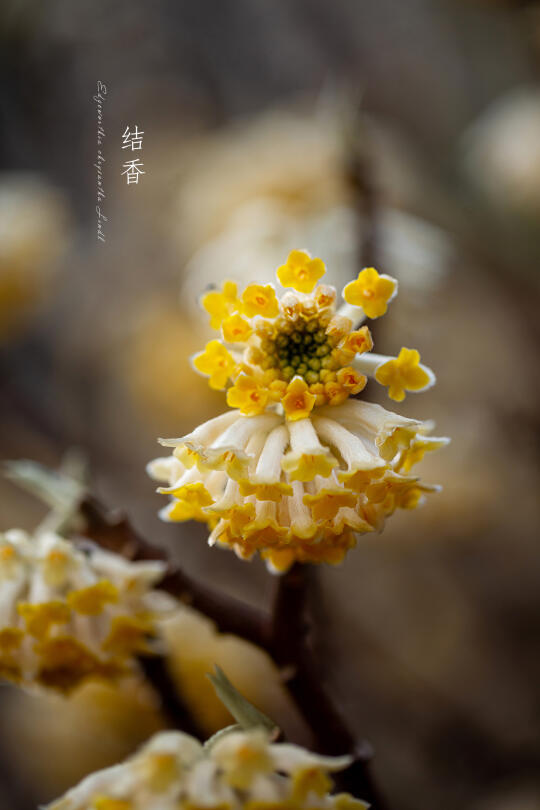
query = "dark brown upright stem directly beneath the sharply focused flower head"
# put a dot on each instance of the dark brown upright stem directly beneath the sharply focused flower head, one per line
(290, 644)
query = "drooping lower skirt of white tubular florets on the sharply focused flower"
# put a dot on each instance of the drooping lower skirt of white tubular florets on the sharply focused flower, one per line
(295, 490)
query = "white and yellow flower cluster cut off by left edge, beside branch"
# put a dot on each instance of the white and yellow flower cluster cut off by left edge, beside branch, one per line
(68, 614)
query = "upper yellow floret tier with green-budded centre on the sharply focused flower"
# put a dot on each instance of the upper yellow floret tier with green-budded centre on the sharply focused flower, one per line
(299, 351)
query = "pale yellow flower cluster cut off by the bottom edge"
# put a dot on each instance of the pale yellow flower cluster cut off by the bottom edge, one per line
(242, 770)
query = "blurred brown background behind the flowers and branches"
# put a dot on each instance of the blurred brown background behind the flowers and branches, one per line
(405, 135)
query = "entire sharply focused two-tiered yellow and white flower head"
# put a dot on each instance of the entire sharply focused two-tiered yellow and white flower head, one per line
(302, 468)
